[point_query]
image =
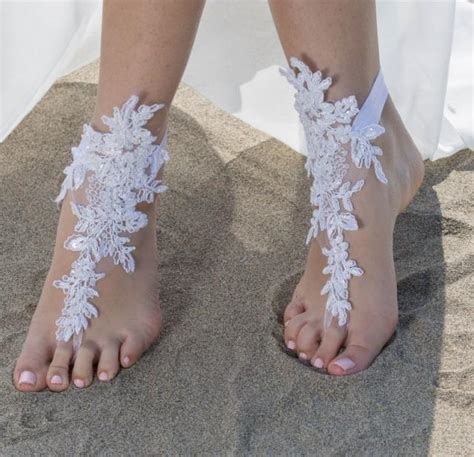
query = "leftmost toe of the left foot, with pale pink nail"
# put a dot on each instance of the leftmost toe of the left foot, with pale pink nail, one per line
(31, 368)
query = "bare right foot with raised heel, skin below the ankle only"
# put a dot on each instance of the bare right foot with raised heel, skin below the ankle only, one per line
(373, 295)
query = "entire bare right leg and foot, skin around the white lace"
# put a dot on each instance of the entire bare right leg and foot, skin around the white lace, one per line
(339, 38)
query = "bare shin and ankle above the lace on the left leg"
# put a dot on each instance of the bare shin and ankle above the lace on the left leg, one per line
(144, 50)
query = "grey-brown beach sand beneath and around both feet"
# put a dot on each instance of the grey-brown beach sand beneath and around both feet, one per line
(231, 234)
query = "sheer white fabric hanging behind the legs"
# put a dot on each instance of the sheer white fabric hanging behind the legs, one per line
(235, 63)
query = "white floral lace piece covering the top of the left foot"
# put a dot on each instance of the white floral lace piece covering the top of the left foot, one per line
(120, 170)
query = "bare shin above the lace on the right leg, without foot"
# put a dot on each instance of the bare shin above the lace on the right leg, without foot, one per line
(336, 37)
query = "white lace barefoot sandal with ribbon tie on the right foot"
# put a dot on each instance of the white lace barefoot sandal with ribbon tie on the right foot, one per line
(328, 126)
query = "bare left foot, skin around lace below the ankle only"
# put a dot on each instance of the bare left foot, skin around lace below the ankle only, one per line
(128, 323)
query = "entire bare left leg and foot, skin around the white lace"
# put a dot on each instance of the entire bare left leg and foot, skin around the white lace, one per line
(145, 47)
